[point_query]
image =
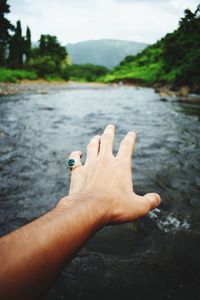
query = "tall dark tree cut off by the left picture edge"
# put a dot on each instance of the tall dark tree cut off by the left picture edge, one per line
(5, 27)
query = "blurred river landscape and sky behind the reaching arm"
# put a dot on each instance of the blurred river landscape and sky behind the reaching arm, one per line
(68, 68)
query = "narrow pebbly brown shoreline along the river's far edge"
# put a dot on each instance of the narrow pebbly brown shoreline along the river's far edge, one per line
(181, 94)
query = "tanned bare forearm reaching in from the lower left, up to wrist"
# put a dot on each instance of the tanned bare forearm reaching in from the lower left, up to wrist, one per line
(36, 253)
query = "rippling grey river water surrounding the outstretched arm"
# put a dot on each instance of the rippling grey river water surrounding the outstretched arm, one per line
(155, 257)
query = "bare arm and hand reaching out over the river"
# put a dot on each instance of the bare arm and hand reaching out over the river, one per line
(101, 193)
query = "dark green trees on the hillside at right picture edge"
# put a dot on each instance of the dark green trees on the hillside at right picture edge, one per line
(182, 49)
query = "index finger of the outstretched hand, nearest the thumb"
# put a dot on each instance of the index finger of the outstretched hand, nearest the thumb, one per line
(127, 145)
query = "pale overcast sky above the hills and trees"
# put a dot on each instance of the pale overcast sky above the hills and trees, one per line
(78, 20)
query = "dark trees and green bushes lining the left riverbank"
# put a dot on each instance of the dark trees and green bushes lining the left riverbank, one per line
(48, 59)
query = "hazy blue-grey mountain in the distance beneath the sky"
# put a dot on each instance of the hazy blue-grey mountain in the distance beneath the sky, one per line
(104, 52)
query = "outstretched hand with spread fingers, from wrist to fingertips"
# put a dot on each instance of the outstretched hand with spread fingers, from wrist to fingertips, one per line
(107, 179)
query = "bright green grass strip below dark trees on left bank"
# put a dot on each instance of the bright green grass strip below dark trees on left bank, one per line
(9, 75)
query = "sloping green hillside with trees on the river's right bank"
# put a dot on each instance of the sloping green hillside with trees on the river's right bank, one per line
(173, 60)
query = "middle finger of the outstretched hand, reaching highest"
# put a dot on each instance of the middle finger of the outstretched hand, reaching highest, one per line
(107, 140)
